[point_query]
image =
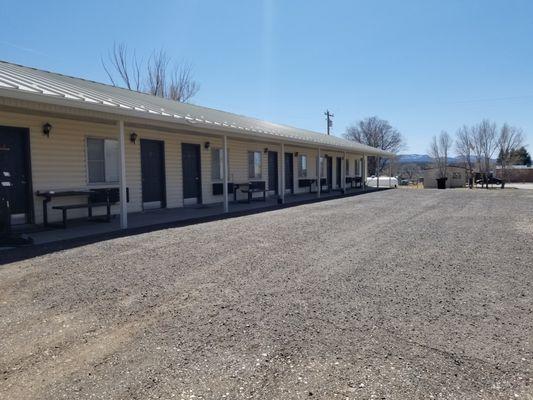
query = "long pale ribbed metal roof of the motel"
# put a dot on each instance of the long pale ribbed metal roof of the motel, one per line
(20, 82)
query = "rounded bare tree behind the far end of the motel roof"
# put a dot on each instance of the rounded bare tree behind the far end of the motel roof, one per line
(375, 132)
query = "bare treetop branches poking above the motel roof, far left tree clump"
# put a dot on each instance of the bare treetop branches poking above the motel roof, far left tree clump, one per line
(158, 76)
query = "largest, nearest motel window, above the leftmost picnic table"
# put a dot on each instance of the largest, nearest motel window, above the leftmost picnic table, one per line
(102, 160)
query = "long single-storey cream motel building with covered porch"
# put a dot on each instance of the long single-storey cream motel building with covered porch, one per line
(71, 149)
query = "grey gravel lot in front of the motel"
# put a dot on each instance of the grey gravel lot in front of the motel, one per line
(402, 294)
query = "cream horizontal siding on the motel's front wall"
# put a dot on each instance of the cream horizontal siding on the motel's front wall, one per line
(61, 161)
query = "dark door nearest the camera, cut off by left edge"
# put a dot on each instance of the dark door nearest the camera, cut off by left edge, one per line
(15, 169)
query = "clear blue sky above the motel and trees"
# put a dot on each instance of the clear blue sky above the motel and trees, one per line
(425, 66)
